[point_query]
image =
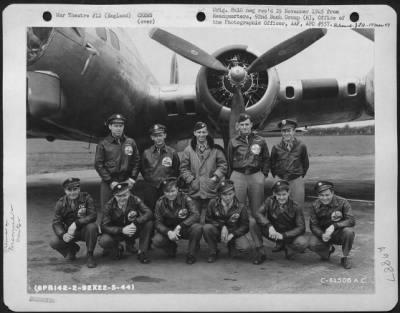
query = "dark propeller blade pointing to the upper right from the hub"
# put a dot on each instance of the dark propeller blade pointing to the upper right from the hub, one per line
(286, 49)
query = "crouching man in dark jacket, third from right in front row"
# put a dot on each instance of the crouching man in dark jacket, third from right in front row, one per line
(227, 221)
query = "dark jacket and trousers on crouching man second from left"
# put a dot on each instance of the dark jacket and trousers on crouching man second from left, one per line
(115, 219)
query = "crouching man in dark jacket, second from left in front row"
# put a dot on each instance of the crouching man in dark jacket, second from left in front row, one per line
(126, 218)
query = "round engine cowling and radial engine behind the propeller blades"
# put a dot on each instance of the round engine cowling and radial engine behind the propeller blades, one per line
(215, 89)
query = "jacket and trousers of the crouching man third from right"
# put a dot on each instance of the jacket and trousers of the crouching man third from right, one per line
(236, 219)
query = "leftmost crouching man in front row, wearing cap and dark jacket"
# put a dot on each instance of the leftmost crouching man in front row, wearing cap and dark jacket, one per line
(74, 220)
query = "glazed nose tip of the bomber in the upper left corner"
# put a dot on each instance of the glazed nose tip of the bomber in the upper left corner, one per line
(38, 38)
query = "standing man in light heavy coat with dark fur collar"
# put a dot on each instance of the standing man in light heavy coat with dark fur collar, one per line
(203, 166)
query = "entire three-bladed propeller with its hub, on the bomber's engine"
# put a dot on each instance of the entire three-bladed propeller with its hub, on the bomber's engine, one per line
(238, 74)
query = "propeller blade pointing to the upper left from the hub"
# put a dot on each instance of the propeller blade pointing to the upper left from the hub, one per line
(186, 49)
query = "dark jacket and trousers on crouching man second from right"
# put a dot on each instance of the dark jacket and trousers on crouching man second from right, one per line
(287, 220)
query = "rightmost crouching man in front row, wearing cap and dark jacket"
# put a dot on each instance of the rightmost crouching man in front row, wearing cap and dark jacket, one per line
(331, 222)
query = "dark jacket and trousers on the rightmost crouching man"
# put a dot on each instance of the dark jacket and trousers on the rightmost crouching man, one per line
(337, 213)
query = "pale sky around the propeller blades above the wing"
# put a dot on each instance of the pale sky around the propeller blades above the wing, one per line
(341, 53)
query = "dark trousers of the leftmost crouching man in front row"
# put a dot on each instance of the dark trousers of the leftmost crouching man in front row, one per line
(87, 233)
